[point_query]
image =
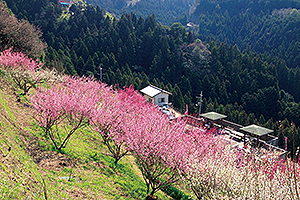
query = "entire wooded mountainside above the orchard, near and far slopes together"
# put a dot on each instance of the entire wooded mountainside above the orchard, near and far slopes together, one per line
(244, 55)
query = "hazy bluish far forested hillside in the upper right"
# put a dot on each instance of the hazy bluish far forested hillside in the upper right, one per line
(270, 27)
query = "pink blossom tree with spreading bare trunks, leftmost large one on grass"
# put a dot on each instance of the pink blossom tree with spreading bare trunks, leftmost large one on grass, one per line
(65, 107)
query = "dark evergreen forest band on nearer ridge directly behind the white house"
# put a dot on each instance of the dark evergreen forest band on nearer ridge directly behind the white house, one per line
(248, 87)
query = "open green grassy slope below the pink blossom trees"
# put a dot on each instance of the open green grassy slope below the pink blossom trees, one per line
(31, 169)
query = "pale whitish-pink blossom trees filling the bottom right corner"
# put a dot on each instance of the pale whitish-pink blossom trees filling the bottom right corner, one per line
(230, 174)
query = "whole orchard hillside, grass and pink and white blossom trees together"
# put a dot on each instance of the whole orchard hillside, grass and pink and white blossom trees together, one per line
(74, 137)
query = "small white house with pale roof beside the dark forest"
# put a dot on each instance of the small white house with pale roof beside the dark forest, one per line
(156, 95)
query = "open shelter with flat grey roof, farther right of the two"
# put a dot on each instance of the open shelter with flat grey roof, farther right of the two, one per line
(257, 131)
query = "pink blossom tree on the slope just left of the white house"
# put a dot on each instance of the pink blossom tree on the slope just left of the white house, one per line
(109, 118)
